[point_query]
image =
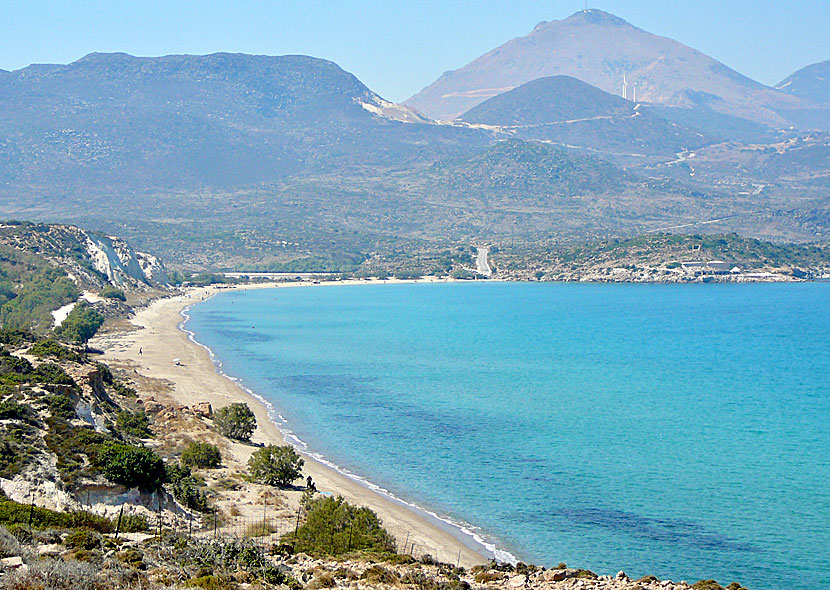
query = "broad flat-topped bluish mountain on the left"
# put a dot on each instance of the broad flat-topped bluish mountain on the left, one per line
(185, 121)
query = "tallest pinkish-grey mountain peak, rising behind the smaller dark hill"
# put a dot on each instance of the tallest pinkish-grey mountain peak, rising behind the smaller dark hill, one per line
(604, 51)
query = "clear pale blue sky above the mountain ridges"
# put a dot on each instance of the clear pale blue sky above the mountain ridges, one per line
(396, 48)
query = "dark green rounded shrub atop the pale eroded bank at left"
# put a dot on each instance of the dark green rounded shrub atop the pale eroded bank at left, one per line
(132, 467)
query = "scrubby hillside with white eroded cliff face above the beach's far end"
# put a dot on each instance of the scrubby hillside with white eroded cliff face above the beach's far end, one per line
(90, 258)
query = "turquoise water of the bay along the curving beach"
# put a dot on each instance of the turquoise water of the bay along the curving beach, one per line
(682, 431)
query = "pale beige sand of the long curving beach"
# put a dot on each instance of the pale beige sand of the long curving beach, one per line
(157, 333)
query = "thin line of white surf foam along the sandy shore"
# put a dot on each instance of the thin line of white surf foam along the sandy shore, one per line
(460, 529)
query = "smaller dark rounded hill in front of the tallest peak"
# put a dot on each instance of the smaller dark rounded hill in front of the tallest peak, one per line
(567, 111)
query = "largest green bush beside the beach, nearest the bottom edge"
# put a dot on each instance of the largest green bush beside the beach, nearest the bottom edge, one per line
(334, 527)
